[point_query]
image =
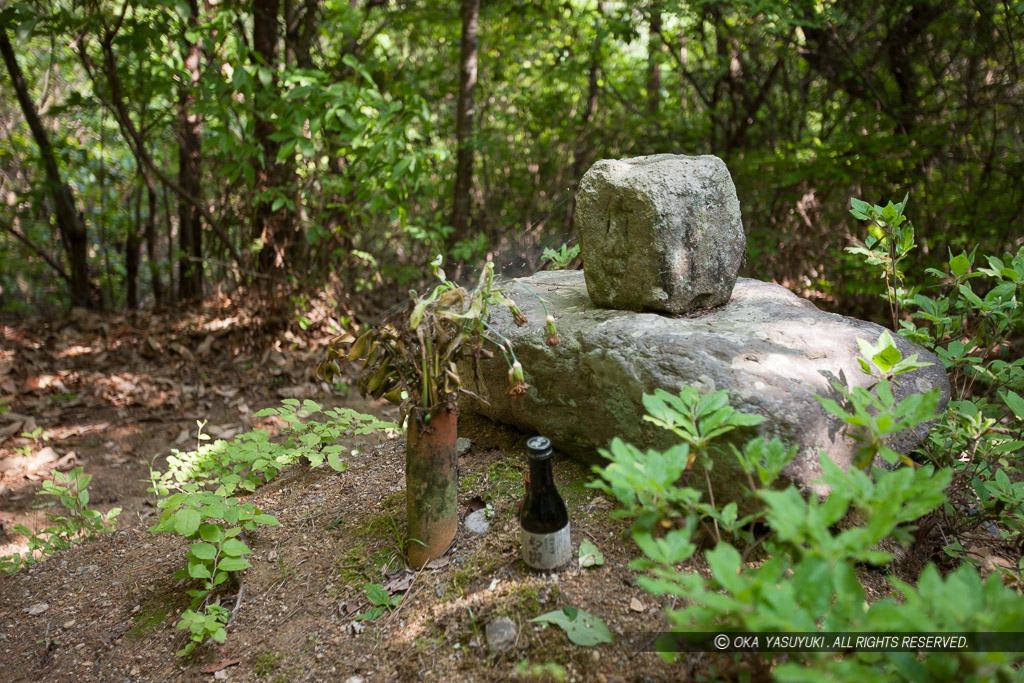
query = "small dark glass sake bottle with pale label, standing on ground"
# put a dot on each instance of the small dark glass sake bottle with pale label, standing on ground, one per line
(544, 520)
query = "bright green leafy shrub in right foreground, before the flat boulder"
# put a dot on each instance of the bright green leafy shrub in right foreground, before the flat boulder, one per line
(808, 580)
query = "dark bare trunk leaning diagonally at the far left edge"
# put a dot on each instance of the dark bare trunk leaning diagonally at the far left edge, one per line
(70, 225)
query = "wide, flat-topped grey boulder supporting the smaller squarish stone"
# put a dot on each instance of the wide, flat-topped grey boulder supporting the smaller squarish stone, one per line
(772, 350)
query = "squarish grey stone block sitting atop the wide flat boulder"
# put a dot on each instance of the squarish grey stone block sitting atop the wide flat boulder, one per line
(660, 233)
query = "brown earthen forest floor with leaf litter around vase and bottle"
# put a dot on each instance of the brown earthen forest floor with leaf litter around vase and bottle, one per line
(115, 395)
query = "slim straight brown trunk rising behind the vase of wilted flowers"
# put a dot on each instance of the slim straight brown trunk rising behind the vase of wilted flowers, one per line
(464, 119)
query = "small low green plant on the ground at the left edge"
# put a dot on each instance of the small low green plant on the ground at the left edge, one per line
(75, 524)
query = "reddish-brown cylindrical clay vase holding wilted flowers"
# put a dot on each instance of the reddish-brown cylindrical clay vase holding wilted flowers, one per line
(432, 484)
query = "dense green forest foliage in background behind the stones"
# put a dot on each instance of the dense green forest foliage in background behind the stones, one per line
(348, 138)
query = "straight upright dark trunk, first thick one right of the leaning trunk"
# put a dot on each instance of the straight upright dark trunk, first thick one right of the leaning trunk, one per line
(190, 170)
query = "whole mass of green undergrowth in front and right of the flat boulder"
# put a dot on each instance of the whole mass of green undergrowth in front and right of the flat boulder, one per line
(966, 478)
